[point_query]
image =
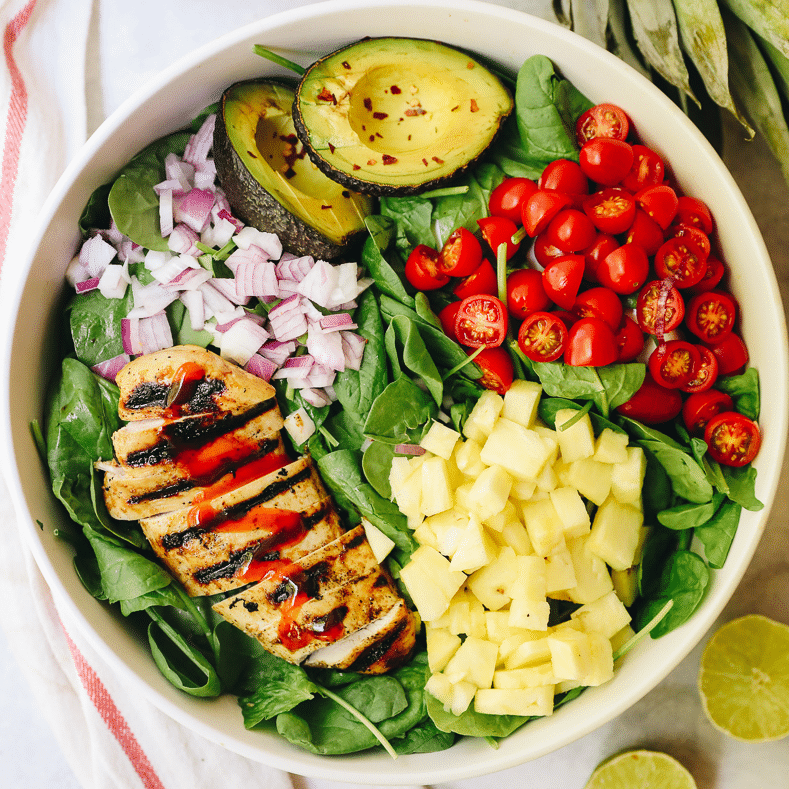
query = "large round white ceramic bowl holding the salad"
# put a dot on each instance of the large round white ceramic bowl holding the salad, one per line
(168, 103)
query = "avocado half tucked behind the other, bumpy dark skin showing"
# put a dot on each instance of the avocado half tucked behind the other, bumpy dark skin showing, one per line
(270, 181)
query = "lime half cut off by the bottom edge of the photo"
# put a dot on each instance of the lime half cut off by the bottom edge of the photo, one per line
(642, 770)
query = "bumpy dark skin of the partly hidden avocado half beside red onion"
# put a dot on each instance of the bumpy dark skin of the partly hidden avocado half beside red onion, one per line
(255, 206)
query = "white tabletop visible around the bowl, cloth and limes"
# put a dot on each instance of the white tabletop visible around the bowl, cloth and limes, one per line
(118, 62)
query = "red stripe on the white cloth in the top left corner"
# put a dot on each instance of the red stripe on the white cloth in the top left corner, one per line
(15, 124)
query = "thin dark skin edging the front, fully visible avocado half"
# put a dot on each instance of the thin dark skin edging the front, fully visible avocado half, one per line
(367, 186)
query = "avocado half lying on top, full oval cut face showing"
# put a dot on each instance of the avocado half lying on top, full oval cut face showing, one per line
(398, 116)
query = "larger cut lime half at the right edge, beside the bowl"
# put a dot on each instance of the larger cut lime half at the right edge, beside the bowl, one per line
(744, 679)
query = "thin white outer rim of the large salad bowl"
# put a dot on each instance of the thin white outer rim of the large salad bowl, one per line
(348, 768)
